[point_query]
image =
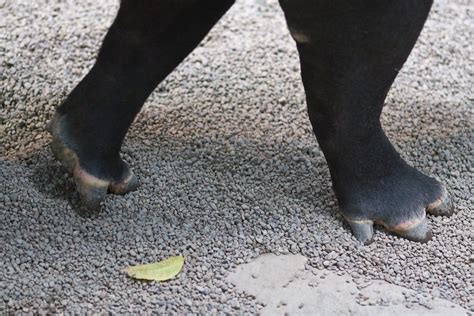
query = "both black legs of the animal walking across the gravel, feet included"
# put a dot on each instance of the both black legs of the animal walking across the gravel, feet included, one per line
(350, 53)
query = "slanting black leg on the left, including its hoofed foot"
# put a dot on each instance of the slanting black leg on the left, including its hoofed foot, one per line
(147, 40)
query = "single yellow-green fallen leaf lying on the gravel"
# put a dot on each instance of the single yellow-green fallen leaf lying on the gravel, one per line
(158, 271)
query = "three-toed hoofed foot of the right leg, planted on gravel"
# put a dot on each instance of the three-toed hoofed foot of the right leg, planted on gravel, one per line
(399, 202)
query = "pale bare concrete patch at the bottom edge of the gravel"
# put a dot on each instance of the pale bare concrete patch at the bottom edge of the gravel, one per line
(285, 287)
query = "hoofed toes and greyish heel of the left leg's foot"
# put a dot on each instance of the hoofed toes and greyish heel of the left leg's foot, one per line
(94, 178)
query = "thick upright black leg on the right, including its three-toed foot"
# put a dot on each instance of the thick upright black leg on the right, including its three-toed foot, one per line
(350, 52)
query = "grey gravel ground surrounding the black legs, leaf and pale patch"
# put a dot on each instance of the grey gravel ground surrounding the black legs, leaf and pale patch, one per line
(228, 165)
